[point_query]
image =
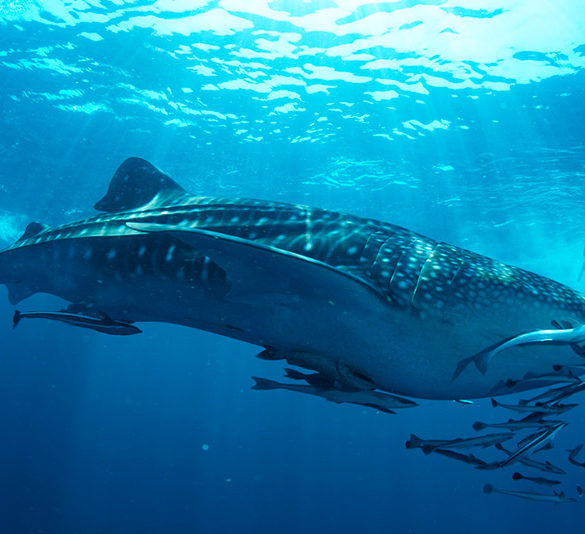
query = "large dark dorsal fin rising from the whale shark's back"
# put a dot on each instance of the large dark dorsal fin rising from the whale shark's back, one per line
(136, 183)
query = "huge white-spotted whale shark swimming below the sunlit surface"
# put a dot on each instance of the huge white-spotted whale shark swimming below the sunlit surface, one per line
(366, 304)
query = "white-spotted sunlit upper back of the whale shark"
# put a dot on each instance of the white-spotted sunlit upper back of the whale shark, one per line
(410, 270)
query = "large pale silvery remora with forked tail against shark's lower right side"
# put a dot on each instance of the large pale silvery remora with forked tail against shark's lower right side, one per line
(574, 337)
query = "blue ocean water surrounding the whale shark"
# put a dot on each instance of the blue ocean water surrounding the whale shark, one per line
(460, 119)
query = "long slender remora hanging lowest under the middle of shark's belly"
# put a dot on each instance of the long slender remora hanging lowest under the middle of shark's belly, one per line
(372, 399)
